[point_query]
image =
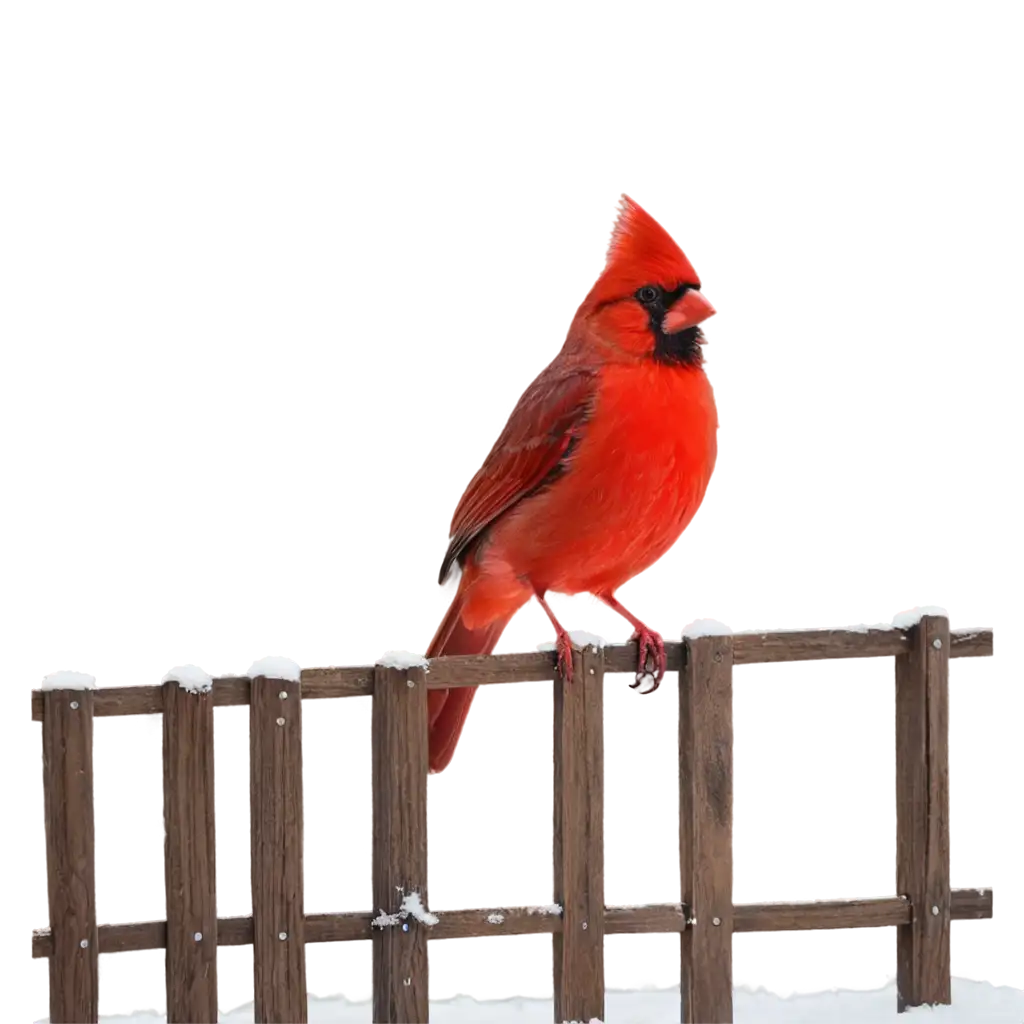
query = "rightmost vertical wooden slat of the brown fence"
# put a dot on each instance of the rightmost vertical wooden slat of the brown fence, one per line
(920, 703)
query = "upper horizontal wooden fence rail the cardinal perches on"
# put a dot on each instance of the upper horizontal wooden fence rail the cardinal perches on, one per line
(535, 668)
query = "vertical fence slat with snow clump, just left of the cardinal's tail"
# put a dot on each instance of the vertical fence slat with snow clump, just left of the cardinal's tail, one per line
(401, 950)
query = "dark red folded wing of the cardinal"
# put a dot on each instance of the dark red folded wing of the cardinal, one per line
(529, 453)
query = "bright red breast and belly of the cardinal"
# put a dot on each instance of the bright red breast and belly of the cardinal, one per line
(630, 486)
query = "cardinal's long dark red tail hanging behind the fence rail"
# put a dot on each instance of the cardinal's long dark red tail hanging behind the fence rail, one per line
(449, 710)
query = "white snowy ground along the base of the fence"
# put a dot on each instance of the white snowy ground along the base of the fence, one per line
(979, 998)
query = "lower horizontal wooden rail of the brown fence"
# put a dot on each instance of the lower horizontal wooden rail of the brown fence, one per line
(750, 916)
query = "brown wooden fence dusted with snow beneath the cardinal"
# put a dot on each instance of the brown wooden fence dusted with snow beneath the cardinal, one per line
(400, 925)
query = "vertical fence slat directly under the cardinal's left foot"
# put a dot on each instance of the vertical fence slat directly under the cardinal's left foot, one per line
(579, 845)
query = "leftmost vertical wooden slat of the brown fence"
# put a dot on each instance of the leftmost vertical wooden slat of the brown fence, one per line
(68, 721)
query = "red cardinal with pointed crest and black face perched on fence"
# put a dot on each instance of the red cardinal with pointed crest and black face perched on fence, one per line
(600, 467)
